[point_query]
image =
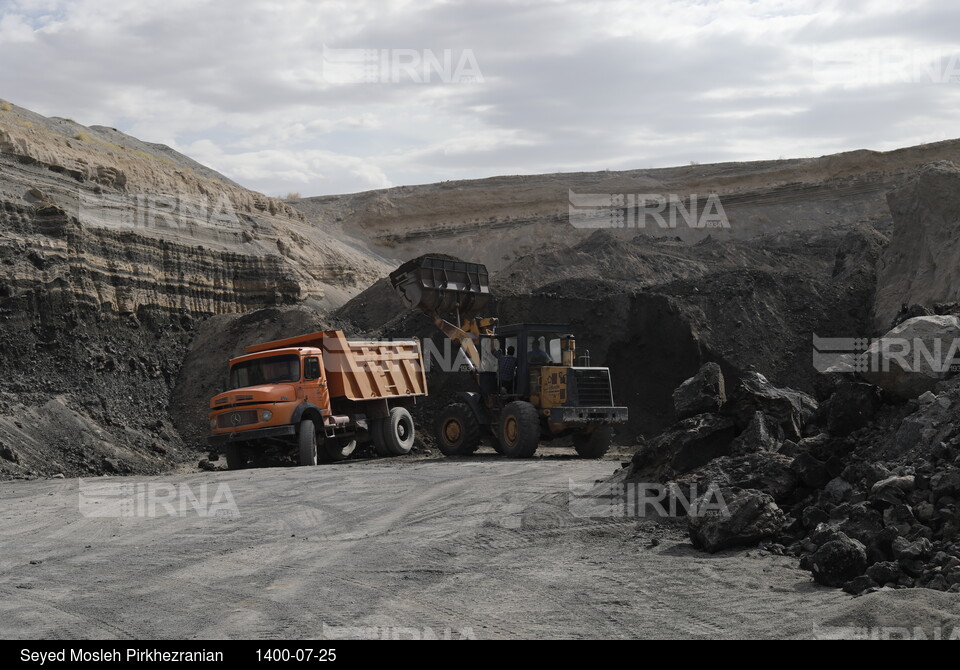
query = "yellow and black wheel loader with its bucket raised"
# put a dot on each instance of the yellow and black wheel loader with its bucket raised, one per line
(531, 384)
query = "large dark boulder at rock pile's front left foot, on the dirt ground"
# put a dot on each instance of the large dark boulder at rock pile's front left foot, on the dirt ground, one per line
(747, 517)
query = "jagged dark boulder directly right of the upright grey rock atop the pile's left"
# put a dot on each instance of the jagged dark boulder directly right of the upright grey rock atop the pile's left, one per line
(790, 409)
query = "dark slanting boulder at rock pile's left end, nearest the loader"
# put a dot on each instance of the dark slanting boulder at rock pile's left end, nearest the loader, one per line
(683, 447)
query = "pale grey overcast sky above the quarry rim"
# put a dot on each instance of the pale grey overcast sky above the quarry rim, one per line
(340, 96)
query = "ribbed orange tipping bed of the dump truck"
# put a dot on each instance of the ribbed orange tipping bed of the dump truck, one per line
(362, 369)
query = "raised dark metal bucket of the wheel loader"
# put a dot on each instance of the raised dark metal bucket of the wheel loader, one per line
(439, 285)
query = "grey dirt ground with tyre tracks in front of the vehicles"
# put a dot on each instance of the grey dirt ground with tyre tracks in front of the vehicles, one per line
(479, 547)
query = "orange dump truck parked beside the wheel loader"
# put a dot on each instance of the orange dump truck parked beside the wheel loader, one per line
(320, 394)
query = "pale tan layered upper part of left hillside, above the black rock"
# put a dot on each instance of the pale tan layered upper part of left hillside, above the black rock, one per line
(126, 225)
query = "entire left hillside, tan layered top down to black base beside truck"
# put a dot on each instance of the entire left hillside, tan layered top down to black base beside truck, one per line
(112, 251)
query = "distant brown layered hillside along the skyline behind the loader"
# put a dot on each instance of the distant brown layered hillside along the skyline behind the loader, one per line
(503, 218)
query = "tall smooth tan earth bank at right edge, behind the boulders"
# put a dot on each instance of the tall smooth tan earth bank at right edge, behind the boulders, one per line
(921, 265)
